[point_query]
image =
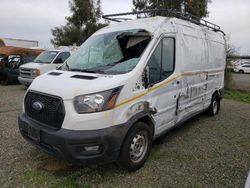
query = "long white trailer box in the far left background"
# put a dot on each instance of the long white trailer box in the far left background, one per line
(18, 43)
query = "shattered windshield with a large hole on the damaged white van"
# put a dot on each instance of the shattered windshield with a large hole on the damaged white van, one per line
(110, 53)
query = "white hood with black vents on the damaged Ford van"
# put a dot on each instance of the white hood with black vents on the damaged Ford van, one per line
(68, 85)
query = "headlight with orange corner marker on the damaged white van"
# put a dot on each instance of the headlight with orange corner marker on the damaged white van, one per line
(96, 102)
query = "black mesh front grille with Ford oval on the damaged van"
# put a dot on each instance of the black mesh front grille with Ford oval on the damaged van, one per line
(51, 115)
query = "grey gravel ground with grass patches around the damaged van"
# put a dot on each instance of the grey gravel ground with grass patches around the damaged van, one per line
(204, 152)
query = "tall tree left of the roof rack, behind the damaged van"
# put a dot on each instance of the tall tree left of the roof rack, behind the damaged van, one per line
(83, 22)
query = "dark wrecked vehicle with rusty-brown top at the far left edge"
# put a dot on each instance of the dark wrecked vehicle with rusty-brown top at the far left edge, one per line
(11, 58)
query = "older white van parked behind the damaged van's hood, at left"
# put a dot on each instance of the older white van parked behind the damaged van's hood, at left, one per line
(45, 62)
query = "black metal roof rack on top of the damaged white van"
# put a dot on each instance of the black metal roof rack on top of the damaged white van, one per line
(168, 13)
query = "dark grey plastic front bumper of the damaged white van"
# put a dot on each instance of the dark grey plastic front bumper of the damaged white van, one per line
(69, 145)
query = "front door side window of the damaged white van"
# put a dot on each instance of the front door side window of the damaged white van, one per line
(161, 64)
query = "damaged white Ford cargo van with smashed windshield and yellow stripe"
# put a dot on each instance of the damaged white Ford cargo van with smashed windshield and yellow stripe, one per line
(127, 85)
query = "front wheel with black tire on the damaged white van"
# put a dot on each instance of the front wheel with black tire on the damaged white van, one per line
(137, 142)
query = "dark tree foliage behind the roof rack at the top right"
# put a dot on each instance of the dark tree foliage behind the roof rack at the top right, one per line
(194, 7)
